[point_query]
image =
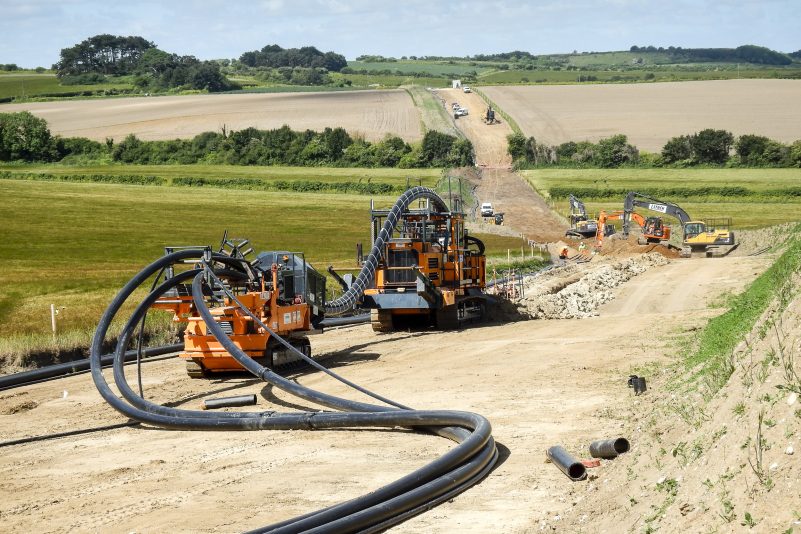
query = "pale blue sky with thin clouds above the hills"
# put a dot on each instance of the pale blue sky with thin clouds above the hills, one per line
(33, 32)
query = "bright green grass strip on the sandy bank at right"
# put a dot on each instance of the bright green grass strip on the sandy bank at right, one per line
(711, 359)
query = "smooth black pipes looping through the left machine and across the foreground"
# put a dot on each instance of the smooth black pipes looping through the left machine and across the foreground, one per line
(455, 471)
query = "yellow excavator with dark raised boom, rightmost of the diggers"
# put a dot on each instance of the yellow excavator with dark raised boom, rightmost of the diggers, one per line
(697, 236)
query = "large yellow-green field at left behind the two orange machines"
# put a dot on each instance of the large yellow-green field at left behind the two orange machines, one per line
(75, 244)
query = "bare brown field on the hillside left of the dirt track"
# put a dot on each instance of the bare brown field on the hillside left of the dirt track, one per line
(372, 114)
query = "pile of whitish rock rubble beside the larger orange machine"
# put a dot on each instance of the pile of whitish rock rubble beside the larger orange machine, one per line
(574, 295)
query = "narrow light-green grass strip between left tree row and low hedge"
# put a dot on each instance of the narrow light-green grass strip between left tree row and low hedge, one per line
(427, 177)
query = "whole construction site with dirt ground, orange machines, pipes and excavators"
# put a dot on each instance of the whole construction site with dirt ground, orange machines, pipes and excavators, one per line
(433, 393)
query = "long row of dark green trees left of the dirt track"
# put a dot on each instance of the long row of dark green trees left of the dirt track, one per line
(27, 138)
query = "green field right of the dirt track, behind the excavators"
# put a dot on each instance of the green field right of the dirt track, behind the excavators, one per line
(745, 212)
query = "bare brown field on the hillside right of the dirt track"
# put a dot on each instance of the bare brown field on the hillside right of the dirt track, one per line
(650, 114)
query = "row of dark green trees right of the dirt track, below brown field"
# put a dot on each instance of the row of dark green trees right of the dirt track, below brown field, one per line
(707, 147)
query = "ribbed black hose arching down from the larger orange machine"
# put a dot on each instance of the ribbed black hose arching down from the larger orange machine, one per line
(348, 300)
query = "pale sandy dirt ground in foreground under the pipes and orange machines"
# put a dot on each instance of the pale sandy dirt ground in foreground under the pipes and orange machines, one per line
(539, 382)
